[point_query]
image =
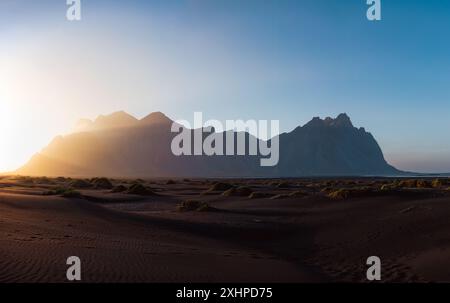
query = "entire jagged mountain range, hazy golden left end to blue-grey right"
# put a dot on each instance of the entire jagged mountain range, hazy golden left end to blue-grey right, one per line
(122, 146)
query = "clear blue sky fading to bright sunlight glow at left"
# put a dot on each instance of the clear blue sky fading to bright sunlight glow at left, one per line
(289, 60)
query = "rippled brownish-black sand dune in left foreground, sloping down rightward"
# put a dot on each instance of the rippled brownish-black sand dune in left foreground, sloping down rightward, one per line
(38, 234)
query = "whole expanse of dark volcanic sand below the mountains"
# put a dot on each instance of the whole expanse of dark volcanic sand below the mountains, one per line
(305, 238)
